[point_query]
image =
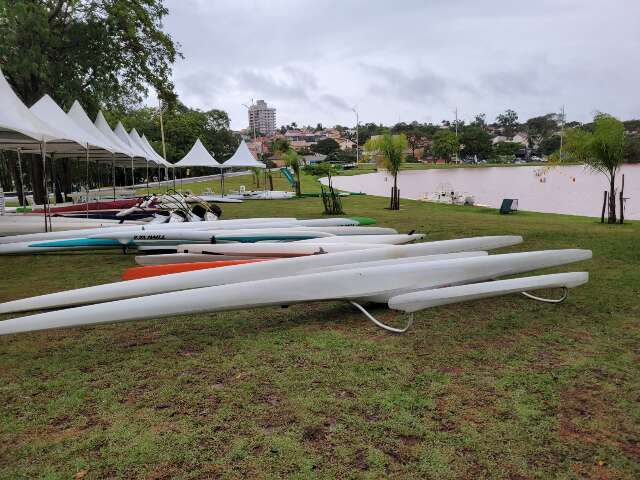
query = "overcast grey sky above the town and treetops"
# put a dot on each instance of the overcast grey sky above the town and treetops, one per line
(404, 60)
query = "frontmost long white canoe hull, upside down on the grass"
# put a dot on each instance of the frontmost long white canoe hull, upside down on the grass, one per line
(377, 284)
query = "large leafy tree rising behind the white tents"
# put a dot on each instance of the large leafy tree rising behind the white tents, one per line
(100, 52)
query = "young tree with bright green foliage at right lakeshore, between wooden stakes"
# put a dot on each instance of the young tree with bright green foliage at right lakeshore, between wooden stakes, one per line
(601, 150)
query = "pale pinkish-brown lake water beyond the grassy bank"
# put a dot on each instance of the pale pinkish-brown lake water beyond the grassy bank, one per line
(570, 189)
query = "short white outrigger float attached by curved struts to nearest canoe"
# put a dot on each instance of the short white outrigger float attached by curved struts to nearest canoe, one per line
(415, 301)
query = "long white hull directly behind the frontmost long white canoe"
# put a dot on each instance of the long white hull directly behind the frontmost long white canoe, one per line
(244, 273)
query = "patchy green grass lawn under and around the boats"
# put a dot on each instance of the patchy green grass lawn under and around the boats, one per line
(501, 388)
